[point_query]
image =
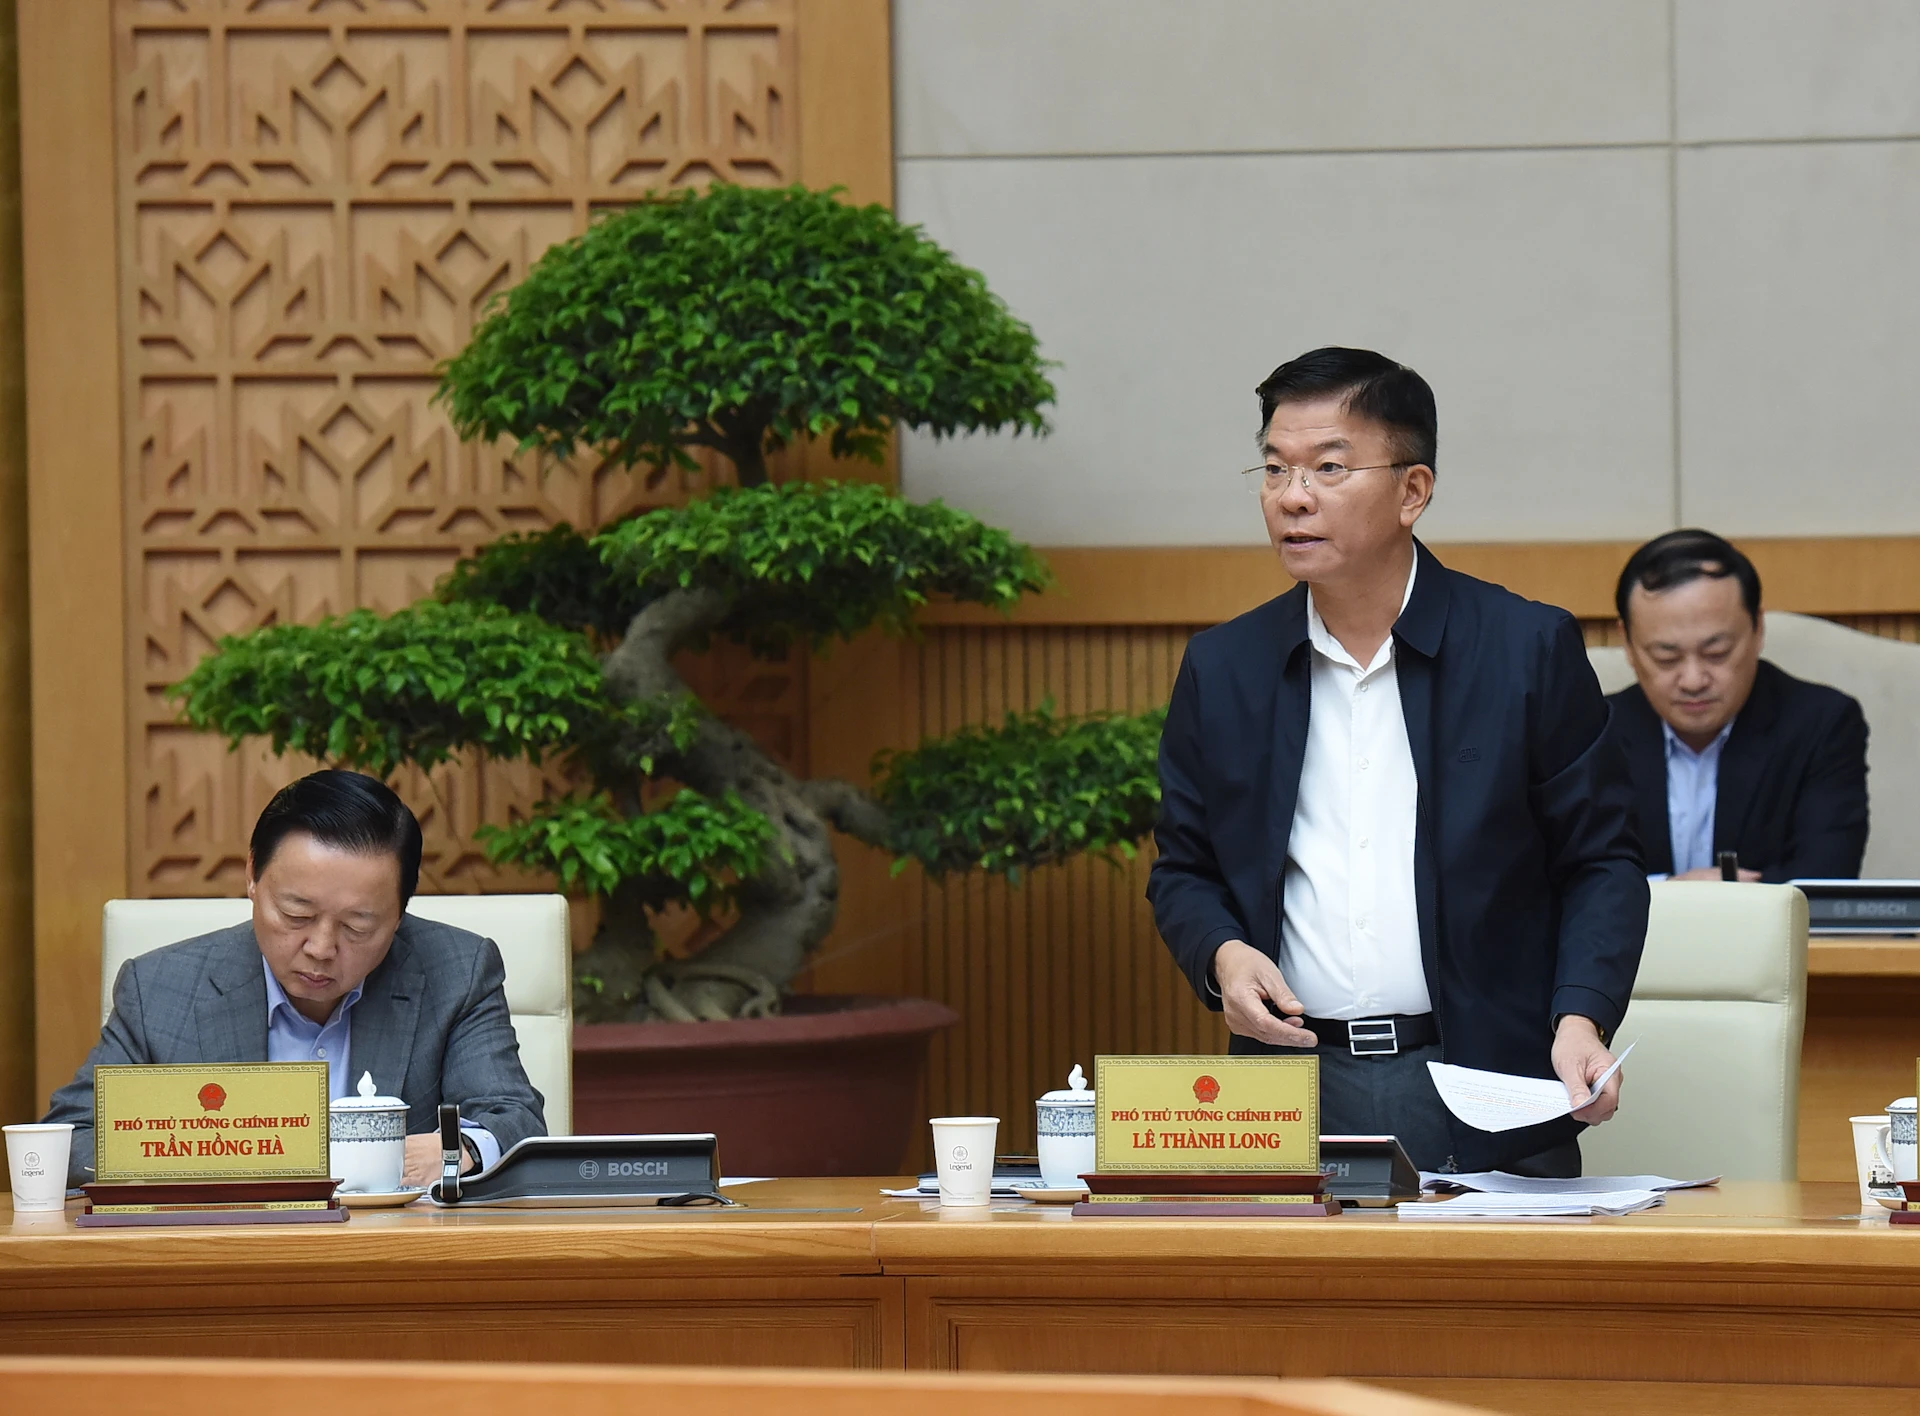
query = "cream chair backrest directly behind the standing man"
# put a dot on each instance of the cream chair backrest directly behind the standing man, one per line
(1717, 1014)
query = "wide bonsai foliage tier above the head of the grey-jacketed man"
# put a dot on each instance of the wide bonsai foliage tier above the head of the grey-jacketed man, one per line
(377, 692)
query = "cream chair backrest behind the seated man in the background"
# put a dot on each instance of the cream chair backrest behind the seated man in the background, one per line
(1884, 674)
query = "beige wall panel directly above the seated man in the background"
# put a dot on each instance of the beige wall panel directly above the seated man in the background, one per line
(1800, 339)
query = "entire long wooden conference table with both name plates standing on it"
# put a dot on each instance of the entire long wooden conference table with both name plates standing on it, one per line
(1750, 1298)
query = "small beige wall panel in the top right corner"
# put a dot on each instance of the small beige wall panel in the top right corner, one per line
(1796, 68)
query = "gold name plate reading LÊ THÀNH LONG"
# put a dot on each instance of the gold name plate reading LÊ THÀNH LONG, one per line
(1207, 1114)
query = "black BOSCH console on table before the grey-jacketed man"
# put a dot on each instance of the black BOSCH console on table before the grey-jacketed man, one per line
(596, 1171)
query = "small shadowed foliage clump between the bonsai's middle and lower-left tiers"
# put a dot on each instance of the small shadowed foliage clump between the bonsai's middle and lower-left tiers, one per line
(558, 577)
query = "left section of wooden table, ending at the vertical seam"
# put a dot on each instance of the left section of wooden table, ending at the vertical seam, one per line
(792, 1283)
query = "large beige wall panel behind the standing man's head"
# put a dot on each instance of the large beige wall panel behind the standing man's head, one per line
(1531, 289)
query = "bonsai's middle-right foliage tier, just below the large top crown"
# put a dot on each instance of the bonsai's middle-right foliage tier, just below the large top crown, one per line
(819, 559)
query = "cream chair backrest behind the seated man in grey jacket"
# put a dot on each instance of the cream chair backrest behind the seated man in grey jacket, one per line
(531, 932)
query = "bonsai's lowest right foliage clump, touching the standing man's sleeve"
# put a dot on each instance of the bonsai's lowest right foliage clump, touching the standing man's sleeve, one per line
(1034, 791)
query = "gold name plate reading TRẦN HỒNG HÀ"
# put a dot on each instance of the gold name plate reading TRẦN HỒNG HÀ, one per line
(220, 1121)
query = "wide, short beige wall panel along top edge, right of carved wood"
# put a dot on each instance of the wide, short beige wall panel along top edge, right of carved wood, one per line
(1268, 76)
